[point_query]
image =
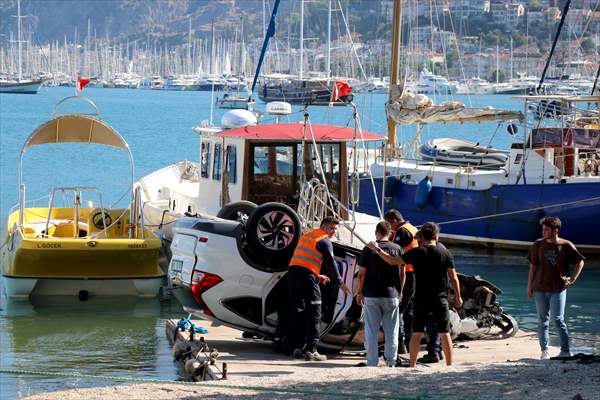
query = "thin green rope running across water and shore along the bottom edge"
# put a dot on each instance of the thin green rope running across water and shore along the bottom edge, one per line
(209, 384)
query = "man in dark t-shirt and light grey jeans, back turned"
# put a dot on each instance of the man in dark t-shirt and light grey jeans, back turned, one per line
(379, 287)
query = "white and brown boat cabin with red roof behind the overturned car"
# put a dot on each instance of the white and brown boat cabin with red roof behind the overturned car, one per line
(270, 162)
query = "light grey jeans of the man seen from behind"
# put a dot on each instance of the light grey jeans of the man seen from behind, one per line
(381, 311)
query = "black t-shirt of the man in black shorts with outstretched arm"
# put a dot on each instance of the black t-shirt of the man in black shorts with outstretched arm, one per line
(431, 265)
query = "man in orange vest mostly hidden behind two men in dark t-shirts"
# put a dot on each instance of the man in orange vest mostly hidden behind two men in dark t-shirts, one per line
(405, 235)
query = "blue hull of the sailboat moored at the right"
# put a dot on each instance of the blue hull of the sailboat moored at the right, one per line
(514, 210)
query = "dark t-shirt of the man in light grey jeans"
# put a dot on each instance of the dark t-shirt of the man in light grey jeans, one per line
(381, 278)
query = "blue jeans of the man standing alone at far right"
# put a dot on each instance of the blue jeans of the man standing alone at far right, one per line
(551, 305)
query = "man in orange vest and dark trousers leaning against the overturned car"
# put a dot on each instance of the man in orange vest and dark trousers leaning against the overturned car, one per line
(313, 251)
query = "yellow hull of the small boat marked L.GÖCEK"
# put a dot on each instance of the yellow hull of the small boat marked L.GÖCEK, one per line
(68, 266)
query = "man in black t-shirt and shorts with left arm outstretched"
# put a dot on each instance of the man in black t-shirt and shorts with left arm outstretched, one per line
(433, 265)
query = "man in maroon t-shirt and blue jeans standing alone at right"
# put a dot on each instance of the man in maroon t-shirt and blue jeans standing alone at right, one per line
(550, 259)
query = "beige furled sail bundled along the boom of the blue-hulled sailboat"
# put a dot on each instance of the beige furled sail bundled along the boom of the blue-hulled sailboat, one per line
(406, 107)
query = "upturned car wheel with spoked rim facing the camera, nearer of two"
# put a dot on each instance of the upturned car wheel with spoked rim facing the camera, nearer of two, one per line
(273, 230)
